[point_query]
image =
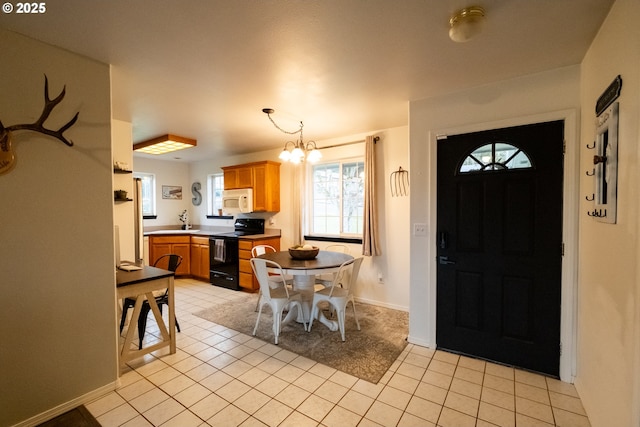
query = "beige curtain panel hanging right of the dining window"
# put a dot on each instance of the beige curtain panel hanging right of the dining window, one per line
(370, 244)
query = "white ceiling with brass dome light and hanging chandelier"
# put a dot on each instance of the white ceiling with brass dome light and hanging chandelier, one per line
(204, 69)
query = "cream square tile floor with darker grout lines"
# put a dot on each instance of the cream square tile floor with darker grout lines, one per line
(221, 378)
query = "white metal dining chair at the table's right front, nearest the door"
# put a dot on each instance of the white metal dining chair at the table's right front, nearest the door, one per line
(339, 294)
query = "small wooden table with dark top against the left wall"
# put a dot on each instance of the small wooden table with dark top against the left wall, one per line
(140, 284)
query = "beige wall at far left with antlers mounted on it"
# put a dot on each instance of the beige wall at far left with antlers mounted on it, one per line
(58, 320)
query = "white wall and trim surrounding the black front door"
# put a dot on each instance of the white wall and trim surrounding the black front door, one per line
(552, 95)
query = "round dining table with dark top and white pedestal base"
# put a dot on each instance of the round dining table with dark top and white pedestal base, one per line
(304, 277)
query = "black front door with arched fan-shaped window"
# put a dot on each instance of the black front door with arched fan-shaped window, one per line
(500, 245)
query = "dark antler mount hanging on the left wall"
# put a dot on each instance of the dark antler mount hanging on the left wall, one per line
(7, 153)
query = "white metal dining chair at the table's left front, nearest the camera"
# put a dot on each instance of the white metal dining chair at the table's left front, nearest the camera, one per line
(277, 297)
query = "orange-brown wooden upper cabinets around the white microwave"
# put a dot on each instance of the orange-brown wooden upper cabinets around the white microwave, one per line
(262, 177)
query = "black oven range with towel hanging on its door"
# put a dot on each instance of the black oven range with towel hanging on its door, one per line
(223, 252)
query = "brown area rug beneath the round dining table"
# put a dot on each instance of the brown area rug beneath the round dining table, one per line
(366, 354)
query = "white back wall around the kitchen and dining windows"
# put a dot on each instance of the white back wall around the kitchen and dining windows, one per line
(392, 152)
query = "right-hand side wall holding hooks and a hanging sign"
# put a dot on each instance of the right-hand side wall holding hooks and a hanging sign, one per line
(609, 306)
